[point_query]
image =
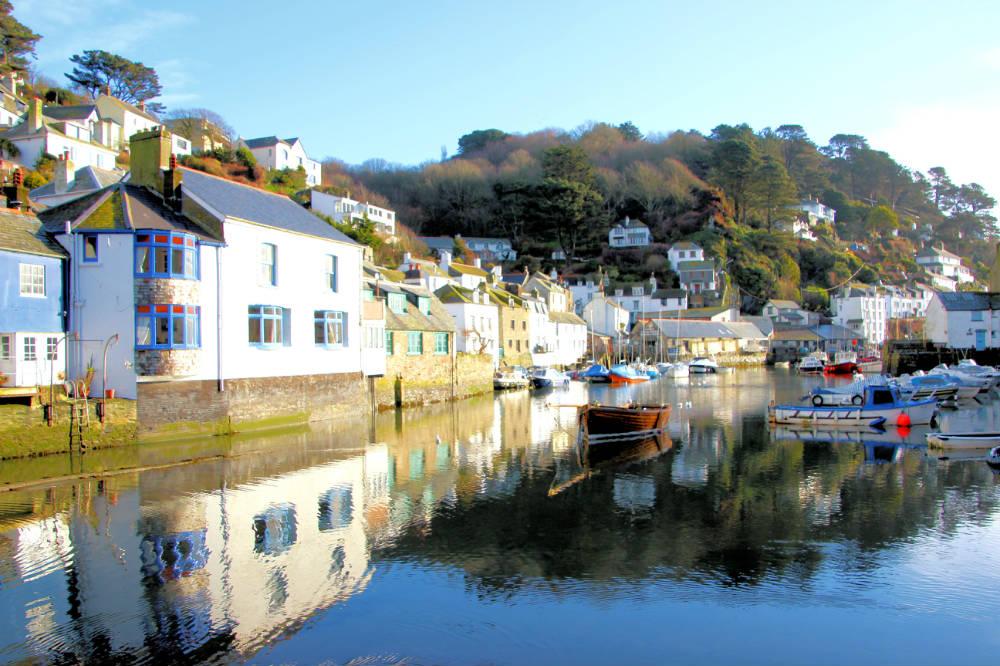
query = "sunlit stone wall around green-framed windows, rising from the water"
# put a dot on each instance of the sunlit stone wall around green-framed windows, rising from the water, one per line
(429, 377)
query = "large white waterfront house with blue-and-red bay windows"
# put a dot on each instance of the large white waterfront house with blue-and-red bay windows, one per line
(218, 293)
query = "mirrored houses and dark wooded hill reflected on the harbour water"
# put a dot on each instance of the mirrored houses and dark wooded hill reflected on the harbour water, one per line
(216, 560)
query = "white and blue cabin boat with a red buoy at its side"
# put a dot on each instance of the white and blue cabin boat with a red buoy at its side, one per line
(881, 406)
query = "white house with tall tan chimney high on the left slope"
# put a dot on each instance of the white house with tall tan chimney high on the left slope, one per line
(70, 131)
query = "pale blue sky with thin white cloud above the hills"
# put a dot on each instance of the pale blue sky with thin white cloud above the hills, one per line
(399, 80)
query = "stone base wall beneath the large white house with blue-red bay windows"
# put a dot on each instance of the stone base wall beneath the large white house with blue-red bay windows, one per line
(187, 408)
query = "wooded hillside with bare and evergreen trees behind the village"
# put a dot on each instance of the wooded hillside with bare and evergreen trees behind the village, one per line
(729, 190)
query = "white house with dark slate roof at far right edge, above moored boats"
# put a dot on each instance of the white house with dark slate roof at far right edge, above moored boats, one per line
(964, 320)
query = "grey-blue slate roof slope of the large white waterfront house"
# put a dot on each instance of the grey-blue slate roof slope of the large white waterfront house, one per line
(253, 205)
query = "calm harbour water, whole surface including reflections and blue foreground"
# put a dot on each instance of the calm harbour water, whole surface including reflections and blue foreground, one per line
(475, 532)
